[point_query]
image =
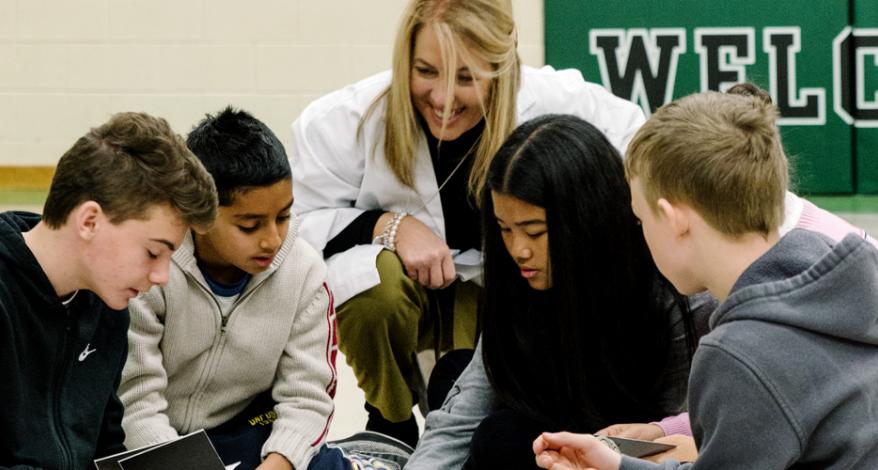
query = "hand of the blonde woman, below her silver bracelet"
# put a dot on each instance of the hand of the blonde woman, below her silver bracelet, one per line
(426, 257)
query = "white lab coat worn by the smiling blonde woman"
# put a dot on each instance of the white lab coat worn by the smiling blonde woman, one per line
(337, 174)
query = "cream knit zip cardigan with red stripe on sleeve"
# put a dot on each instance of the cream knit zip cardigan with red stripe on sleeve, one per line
(186, 371)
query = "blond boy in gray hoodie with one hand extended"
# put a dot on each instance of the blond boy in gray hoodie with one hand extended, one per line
(788, 375)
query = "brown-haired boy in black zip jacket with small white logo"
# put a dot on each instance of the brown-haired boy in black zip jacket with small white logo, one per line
(119, 204)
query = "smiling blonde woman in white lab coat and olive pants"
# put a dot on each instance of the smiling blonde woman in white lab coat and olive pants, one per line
(385, 175)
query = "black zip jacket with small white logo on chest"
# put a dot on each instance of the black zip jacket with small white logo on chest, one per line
(60, 365)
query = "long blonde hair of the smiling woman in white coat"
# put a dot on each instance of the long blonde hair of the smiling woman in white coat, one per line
(485, 28)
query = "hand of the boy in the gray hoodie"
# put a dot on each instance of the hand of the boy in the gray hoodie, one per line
(568, 451)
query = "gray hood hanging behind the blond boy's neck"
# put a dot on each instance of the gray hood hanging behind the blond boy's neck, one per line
(782, 287)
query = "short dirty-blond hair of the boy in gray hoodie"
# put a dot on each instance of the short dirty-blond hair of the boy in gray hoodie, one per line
(721, 154)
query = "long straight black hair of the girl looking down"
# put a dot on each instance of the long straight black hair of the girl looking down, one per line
(593, 349)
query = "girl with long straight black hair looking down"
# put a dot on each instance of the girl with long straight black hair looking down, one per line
(580, 331)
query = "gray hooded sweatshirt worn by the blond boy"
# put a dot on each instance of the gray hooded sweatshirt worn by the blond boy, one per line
(788, 375)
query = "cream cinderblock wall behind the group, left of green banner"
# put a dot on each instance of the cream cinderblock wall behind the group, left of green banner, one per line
(67, 65)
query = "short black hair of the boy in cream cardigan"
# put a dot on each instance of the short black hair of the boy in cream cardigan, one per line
(239, 151)
